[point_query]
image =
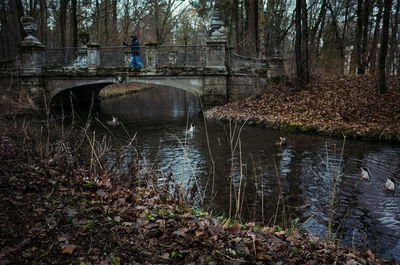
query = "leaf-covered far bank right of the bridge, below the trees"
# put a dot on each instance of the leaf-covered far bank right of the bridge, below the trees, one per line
(331, 105)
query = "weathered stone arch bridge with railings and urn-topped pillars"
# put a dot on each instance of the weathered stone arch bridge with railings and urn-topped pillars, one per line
(213, 71)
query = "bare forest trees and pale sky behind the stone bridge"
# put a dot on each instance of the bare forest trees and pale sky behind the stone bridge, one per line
(330, 36)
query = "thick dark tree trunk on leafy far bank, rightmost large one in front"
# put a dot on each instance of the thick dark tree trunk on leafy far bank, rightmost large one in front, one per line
(383, 49)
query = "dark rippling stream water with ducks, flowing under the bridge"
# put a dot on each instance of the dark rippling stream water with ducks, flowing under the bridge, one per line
(365, 215)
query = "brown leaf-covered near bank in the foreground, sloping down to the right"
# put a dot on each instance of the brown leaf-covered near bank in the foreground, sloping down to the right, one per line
(52, 216)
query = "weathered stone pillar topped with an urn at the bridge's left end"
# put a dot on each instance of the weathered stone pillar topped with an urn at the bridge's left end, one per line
(32, 54)
